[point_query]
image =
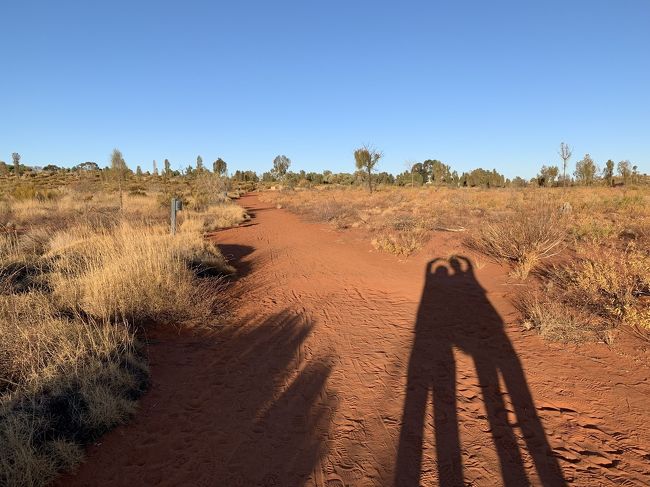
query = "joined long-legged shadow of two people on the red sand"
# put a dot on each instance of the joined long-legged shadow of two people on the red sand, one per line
(454, 312)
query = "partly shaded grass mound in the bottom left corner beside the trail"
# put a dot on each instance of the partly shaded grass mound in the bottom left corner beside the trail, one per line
(64, 382)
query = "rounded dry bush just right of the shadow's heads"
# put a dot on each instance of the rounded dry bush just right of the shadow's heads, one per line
(525, 238)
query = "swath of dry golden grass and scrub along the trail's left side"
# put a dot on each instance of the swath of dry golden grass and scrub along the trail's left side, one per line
(78, 278)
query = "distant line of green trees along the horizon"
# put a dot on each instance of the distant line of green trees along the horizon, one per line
(431, 172)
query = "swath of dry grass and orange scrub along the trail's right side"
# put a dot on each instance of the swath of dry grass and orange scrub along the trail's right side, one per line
(587, 249)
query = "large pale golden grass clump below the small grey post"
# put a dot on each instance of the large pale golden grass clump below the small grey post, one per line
(131, 273)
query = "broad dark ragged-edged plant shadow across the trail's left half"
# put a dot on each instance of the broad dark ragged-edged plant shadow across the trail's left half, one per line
(244, 405)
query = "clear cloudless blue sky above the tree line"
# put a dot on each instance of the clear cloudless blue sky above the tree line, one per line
(472, 83)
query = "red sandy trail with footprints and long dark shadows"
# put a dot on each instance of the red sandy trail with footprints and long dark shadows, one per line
(337, 360)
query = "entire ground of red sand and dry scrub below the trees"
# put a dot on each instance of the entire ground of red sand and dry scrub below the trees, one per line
(317, 321)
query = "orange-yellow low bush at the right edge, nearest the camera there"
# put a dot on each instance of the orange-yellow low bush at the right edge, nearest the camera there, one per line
(597, 292)
